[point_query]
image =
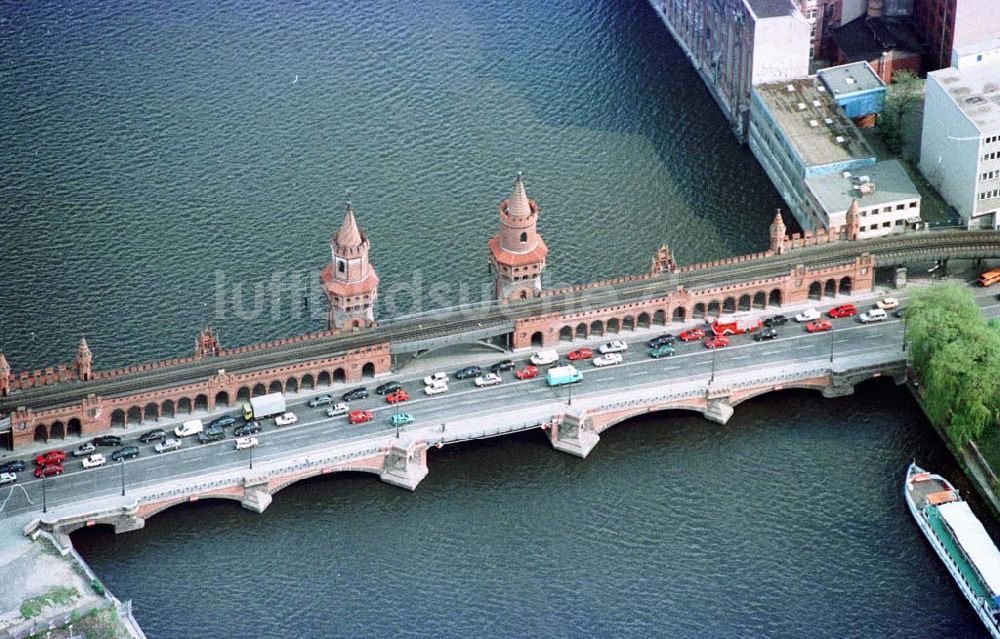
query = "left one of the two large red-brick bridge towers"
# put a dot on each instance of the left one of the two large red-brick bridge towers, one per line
(349, 280)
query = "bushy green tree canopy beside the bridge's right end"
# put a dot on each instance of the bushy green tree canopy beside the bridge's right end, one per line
(956, 353)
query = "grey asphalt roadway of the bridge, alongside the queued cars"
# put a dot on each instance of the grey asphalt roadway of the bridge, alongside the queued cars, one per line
(463, 400)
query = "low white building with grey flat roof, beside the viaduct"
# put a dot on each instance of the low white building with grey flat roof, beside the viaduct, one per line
(887, 199)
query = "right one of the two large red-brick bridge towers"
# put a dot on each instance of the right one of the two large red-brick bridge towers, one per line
(518, 252)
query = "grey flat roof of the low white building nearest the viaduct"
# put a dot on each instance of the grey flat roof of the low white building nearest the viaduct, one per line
(875, 185)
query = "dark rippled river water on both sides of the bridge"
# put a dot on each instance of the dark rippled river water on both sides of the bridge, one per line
(172, 164)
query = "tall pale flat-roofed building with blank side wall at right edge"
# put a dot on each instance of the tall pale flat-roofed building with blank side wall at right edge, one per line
(960, 141)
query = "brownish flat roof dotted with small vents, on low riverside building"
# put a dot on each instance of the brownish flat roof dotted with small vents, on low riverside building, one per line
(833, 140)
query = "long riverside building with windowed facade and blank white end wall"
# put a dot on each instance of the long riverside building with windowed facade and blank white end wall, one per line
(735, 44)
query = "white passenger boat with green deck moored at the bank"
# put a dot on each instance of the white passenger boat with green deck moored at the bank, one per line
(960, 541)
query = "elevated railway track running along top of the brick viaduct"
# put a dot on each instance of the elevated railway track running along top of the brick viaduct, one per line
(886, 250)
